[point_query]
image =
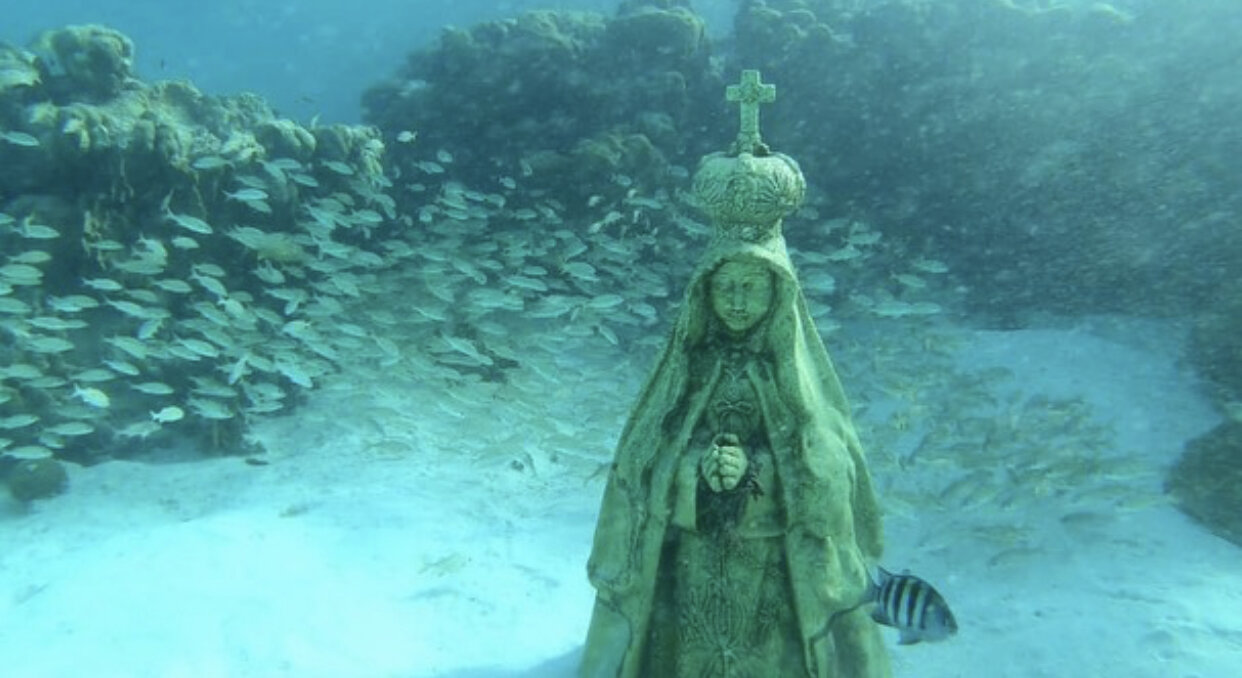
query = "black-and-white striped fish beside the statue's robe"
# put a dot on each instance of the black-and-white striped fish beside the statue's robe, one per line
(912, 607)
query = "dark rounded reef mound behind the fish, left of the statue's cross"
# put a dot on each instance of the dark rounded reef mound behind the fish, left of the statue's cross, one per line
(560, 100)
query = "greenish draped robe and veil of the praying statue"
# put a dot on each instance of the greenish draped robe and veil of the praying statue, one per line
(649, 528)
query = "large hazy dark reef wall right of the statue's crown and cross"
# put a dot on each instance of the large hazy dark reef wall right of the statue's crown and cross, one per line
(1064, 157)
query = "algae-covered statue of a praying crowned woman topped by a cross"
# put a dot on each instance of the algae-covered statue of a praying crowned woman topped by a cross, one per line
(738, 522)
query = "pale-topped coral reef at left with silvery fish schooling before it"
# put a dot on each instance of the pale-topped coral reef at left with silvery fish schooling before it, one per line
(168, 256)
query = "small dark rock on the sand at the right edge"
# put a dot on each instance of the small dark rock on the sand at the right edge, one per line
(1208, 481)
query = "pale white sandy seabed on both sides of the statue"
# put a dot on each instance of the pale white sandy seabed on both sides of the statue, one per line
(392, 537)
